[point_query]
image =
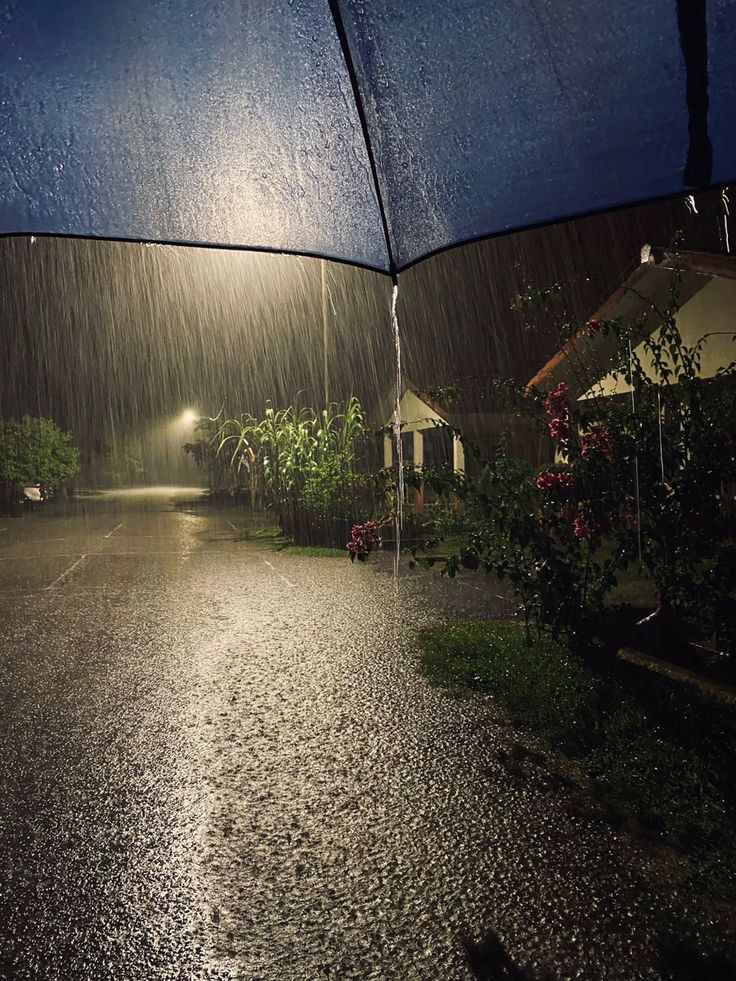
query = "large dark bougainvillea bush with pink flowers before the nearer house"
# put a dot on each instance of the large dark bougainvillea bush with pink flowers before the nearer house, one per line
(639, 478)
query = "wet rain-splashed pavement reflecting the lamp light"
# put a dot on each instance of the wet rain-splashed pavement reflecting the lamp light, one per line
(217, 761)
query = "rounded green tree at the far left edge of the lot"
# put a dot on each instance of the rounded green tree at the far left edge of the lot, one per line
(35, 450)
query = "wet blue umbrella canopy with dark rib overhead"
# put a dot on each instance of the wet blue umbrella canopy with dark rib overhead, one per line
(368, 131)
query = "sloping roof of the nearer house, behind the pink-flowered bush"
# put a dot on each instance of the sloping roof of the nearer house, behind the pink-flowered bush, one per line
(583, 359)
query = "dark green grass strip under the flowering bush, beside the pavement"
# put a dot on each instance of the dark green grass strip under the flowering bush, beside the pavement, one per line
(667, 752)
